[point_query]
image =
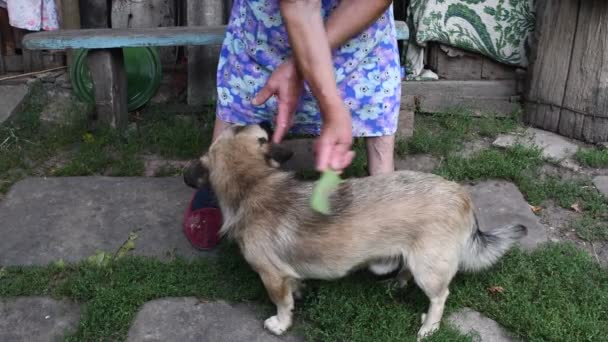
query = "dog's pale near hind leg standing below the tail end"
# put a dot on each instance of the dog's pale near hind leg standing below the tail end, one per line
(433, 275)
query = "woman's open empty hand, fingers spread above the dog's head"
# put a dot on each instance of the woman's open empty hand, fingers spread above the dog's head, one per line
(287, 85)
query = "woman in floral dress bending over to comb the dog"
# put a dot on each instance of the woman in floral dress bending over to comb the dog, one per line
(323, 67)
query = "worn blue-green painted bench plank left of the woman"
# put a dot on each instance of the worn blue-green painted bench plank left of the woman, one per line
(111, 38)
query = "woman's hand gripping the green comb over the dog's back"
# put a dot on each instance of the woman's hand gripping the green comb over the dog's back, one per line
(333, 147)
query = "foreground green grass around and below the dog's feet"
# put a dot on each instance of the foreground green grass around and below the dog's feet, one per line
(557, 293)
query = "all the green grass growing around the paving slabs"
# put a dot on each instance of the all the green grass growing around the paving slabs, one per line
(556, 293)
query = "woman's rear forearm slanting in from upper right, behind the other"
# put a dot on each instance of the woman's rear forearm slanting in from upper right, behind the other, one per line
(351, 17)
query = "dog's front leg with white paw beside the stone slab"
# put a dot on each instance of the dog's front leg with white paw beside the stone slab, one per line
(280, 291)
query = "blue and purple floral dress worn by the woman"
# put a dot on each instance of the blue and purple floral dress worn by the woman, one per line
(366, 68)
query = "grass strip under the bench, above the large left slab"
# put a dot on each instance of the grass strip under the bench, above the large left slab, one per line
(28, 147)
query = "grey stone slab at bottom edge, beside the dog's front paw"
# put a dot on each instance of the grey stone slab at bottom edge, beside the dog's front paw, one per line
(189, 319)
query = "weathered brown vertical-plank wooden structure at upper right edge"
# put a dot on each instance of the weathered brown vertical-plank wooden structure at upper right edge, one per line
(567, 89)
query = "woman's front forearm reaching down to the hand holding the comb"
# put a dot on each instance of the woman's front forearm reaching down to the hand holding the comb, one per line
(311, 50)
